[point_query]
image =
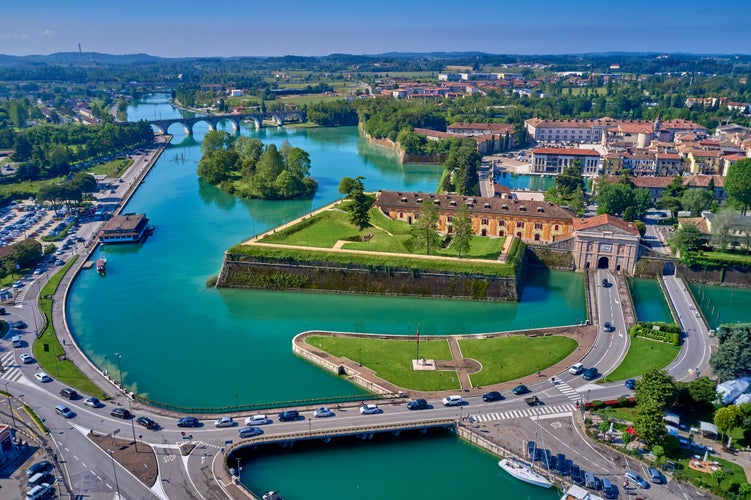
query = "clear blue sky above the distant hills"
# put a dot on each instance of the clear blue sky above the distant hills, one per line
(187, 28)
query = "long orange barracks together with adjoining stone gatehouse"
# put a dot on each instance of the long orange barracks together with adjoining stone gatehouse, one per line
(597, 242)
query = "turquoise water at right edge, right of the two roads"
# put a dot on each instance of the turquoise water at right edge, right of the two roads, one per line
(721, 304)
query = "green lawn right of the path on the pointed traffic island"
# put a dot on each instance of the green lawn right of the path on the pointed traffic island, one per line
(509, 358)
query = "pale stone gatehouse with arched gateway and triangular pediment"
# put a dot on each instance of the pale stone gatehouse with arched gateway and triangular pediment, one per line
(605, 242)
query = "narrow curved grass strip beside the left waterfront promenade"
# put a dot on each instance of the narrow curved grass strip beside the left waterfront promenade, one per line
(48, 358)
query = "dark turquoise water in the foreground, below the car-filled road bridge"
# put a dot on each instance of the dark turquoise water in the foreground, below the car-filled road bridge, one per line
(411, 466)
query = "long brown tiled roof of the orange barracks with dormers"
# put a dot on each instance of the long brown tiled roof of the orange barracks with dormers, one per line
(476, 204)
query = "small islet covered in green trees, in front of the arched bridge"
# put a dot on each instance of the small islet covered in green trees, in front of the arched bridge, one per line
(248, 168)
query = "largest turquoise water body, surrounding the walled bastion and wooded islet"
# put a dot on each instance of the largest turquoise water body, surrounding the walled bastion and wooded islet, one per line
(188, 345)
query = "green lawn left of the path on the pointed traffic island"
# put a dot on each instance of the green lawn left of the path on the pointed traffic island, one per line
(391, 360)
